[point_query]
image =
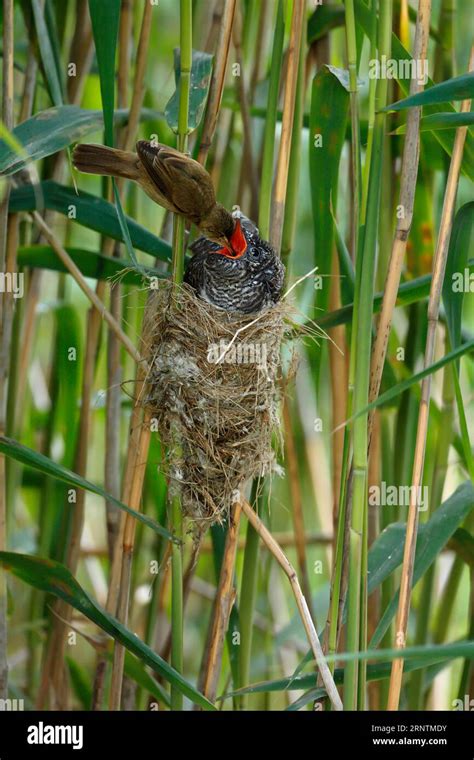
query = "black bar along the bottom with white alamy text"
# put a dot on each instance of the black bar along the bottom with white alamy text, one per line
(136, 735)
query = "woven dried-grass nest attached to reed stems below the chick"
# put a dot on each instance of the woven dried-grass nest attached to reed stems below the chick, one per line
(219, 406)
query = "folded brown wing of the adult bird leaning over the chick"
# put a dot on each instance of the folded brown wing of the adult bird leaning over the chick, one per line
(184, 183)
